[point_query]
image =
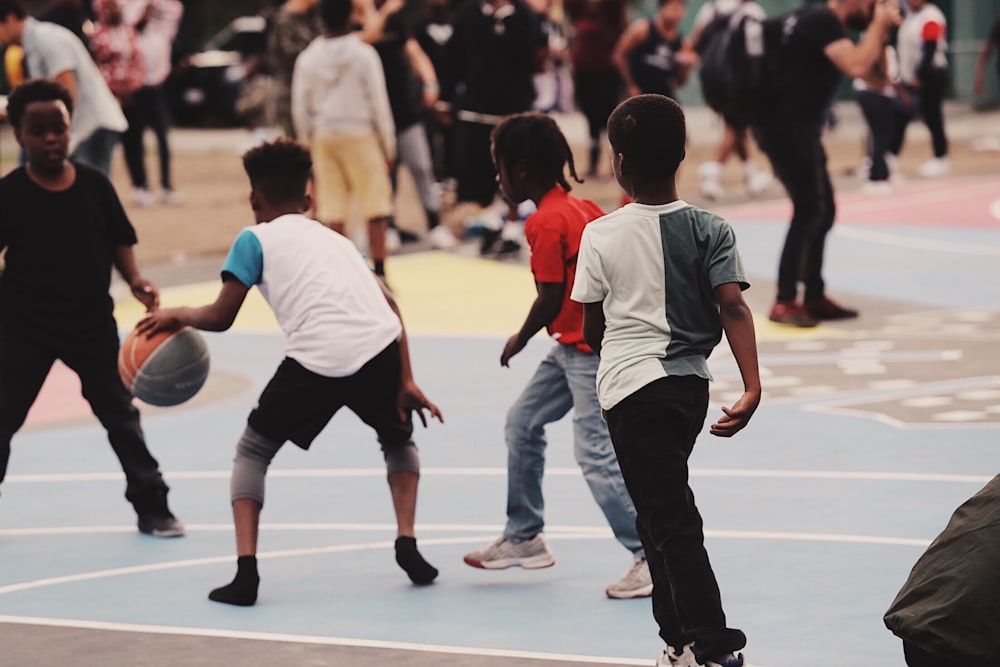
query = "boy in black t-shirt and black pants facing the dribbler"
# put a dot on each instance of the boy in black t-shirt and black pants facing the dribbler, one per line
(63, 228)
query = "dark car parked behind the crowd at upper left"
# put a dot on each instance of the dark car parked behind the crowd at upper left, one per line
(204, 86)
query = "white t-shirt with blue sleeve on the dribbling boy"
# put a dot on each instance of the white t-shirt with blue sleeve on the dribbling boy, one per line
(324, 296)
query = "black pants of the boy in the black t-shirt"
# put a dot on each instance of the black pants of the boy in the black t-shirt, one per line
(25, 362)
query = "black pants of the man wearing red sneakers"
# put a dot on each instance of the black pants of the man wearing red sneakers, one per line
(798, 159)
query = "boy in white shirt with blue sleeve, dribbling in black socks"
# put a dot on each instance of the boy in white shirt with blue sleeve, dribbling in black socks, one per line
(345, 347)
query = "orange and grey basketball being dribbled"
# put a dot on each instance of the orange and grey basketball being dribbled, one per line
(165, 369)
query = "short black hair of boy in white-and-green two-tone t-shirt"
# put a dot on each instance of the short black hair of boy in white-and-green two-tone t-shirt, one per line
(650, 132)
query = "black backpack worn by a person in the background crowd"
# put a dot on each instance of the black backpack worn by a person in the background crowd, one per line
(735, 65)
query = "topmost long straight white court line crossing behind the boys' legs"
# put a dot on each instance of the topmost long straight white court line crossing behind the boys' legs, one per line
(499, 472)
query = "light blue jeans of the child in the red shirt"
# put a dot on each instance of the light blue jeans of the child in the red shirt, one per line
(566, 379)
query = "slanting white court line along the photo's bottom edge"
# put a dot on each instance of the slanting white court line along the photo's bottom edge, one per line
(313, 639)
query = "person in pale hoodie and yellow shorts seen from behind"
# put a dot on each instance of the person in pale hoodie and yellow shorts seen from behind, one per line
(340, 107)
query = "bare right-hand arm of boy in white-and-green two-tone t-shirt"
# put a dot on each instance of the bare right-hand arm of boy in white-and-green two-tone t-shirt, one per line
(737, 322)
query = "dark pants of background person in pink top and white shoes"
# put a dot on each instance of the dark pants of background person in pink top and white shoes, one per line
(146, 109)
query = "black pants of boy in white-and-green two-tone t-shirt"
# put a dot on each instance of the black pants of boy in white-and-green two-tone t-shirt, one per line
(653, 432)
